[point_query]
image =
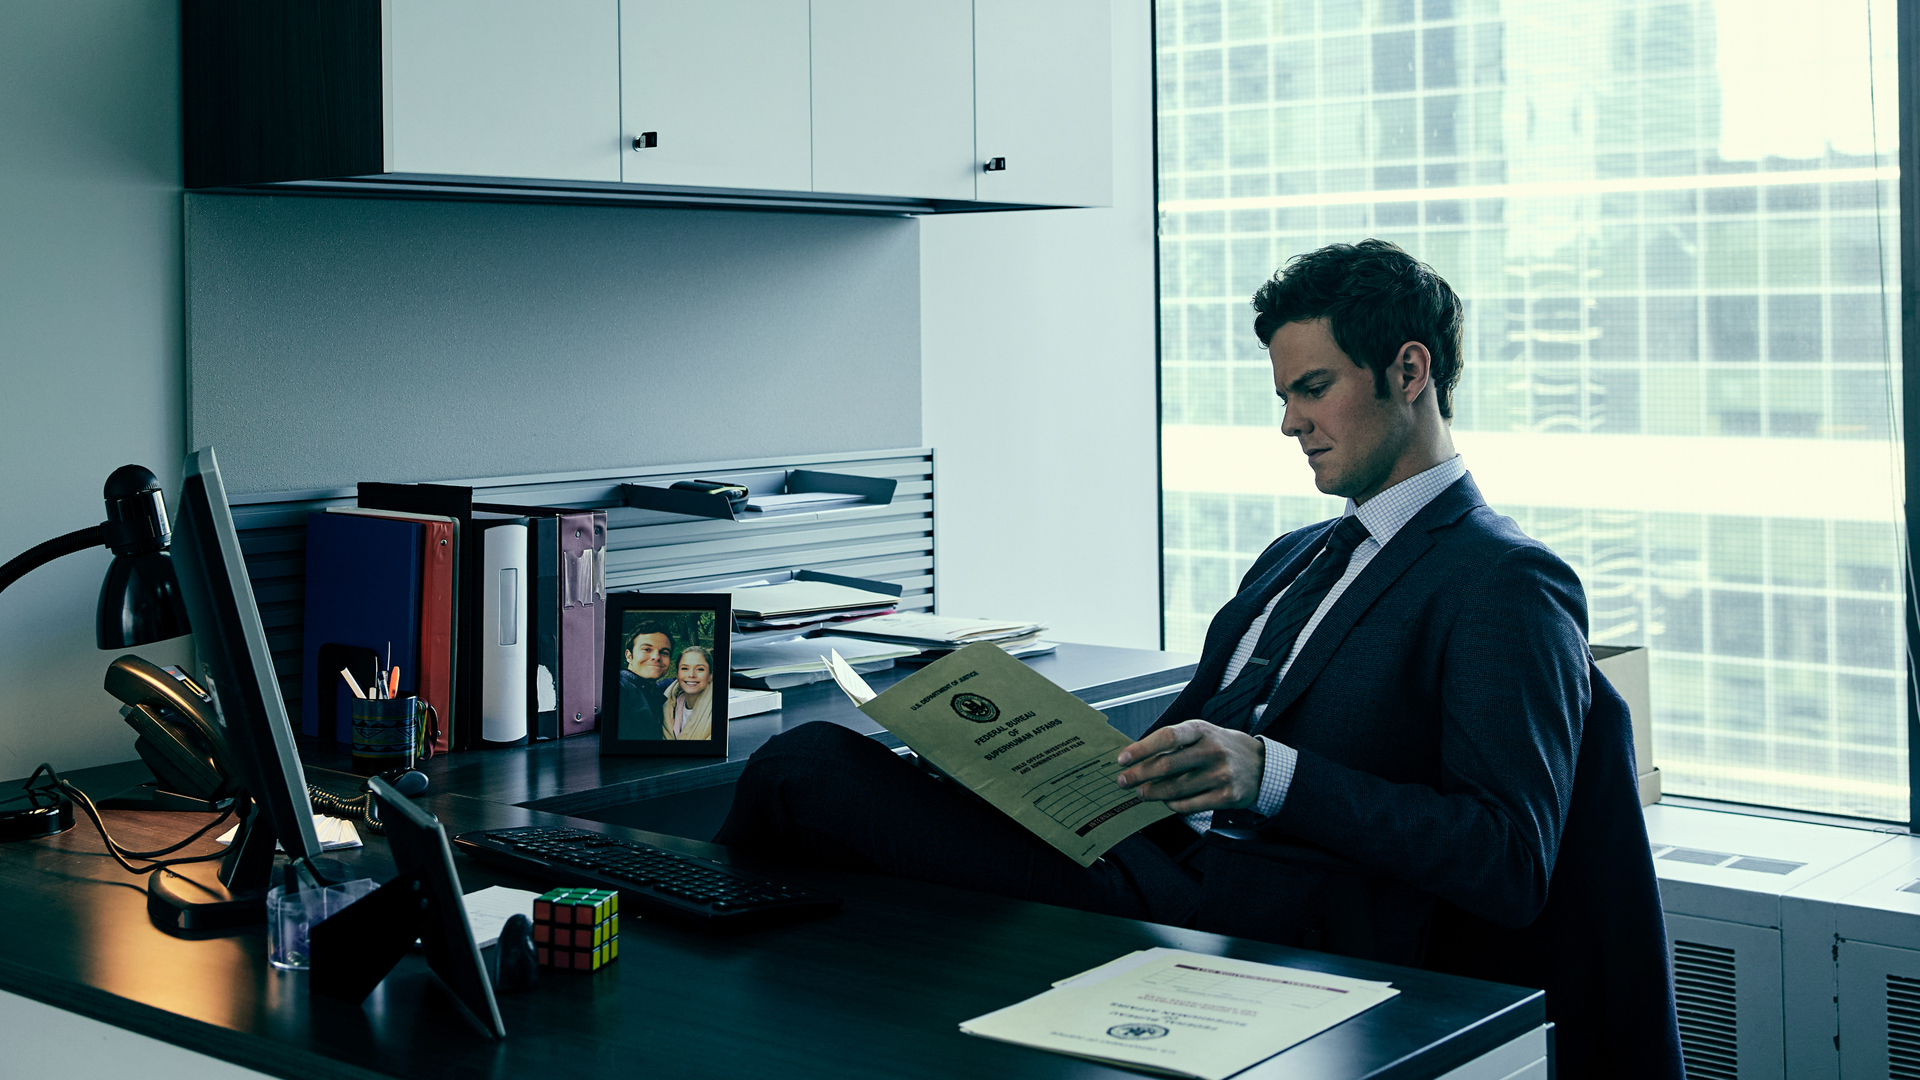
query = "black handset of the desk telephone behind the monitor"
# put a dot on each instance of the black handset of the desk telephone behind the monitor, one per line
(180, 739)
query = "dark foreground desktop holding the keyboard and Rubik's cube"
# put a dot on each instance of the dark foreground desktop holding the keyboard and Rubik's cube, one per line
(875, 991)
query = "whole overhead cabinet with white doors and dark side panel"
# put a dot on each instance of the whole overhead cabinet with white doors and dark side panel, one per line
(790, 105)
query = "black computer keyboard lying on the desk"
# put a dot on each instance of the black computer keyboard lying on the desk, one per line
(652, 879)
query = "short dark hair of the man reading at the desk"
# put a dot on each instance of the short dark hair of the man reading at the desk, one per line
(1376, 299)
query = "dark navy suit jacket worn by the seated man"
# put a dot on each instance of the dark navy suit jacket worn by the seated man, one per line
(1439, 714)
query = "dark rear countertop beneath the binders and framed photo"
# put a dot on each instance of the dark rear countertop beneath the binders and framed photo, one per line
(571, 777)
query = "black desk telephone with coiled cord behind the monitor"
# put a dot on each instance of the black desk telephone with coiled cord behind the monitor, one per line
(185, 747)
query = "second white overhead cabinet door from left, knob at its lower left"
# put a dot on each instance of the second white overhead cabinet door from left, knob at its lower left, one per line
(723, 87)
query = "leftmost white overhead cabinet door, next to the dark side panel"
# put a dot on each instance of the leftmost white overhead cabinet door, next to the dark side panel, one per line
(504, 89)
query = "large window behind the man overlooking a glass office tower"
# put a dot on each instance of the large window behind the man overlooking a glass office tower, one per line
(1675, 226)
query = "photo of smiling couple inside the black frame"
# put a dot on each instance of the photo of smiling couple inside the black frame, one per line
(669, 683)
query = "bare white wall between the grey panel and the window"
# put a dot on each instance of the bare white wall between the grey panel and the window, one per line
(1038, 395)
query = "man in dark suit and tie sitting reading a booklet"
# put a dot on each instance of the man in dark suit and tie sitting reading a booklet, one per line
(1399, 691)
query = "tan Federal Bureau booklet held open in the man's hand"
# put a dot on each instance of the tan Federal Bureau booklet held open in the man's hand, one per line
(1030, 749)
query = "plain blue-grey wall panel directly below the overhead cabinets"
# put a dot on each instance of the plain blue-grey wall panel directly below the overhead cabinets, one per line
(343, 341)
